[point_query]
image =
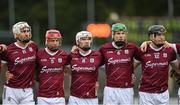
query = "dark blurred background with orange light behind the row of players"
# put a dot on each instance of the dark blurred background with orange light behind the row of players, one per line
(72, 16)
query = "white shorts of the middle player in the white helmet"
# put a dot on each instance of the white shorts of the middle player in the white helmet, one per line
(82, 101)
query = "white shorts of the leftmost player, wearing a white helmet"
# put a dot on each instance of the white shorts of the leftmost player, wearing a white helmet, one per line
(16, 96)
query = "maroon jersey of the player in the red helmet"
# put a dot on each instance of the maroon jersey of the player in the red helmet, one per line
(51, 73)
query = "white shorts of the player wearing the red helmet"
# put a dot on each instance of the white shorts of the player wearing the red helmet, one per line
(50, 101)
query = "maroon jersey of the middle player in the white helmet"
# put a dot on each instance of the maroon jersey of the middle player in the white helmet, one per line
(84, 74)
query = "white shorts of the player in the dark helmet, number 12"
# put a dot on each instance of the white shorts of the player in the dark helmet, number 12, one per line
(154, 98)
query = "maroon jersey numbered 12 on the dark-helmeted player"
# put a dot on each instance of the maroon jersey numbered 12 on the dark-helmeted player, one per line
(155, 68)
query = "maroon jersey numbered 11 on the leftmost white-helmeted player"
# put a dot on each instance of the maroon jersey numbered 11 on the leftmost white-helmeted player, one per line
(21, 63)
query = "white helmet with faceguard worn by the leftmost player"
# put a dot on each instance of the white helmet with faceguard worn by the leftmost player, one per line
(18, 29)
